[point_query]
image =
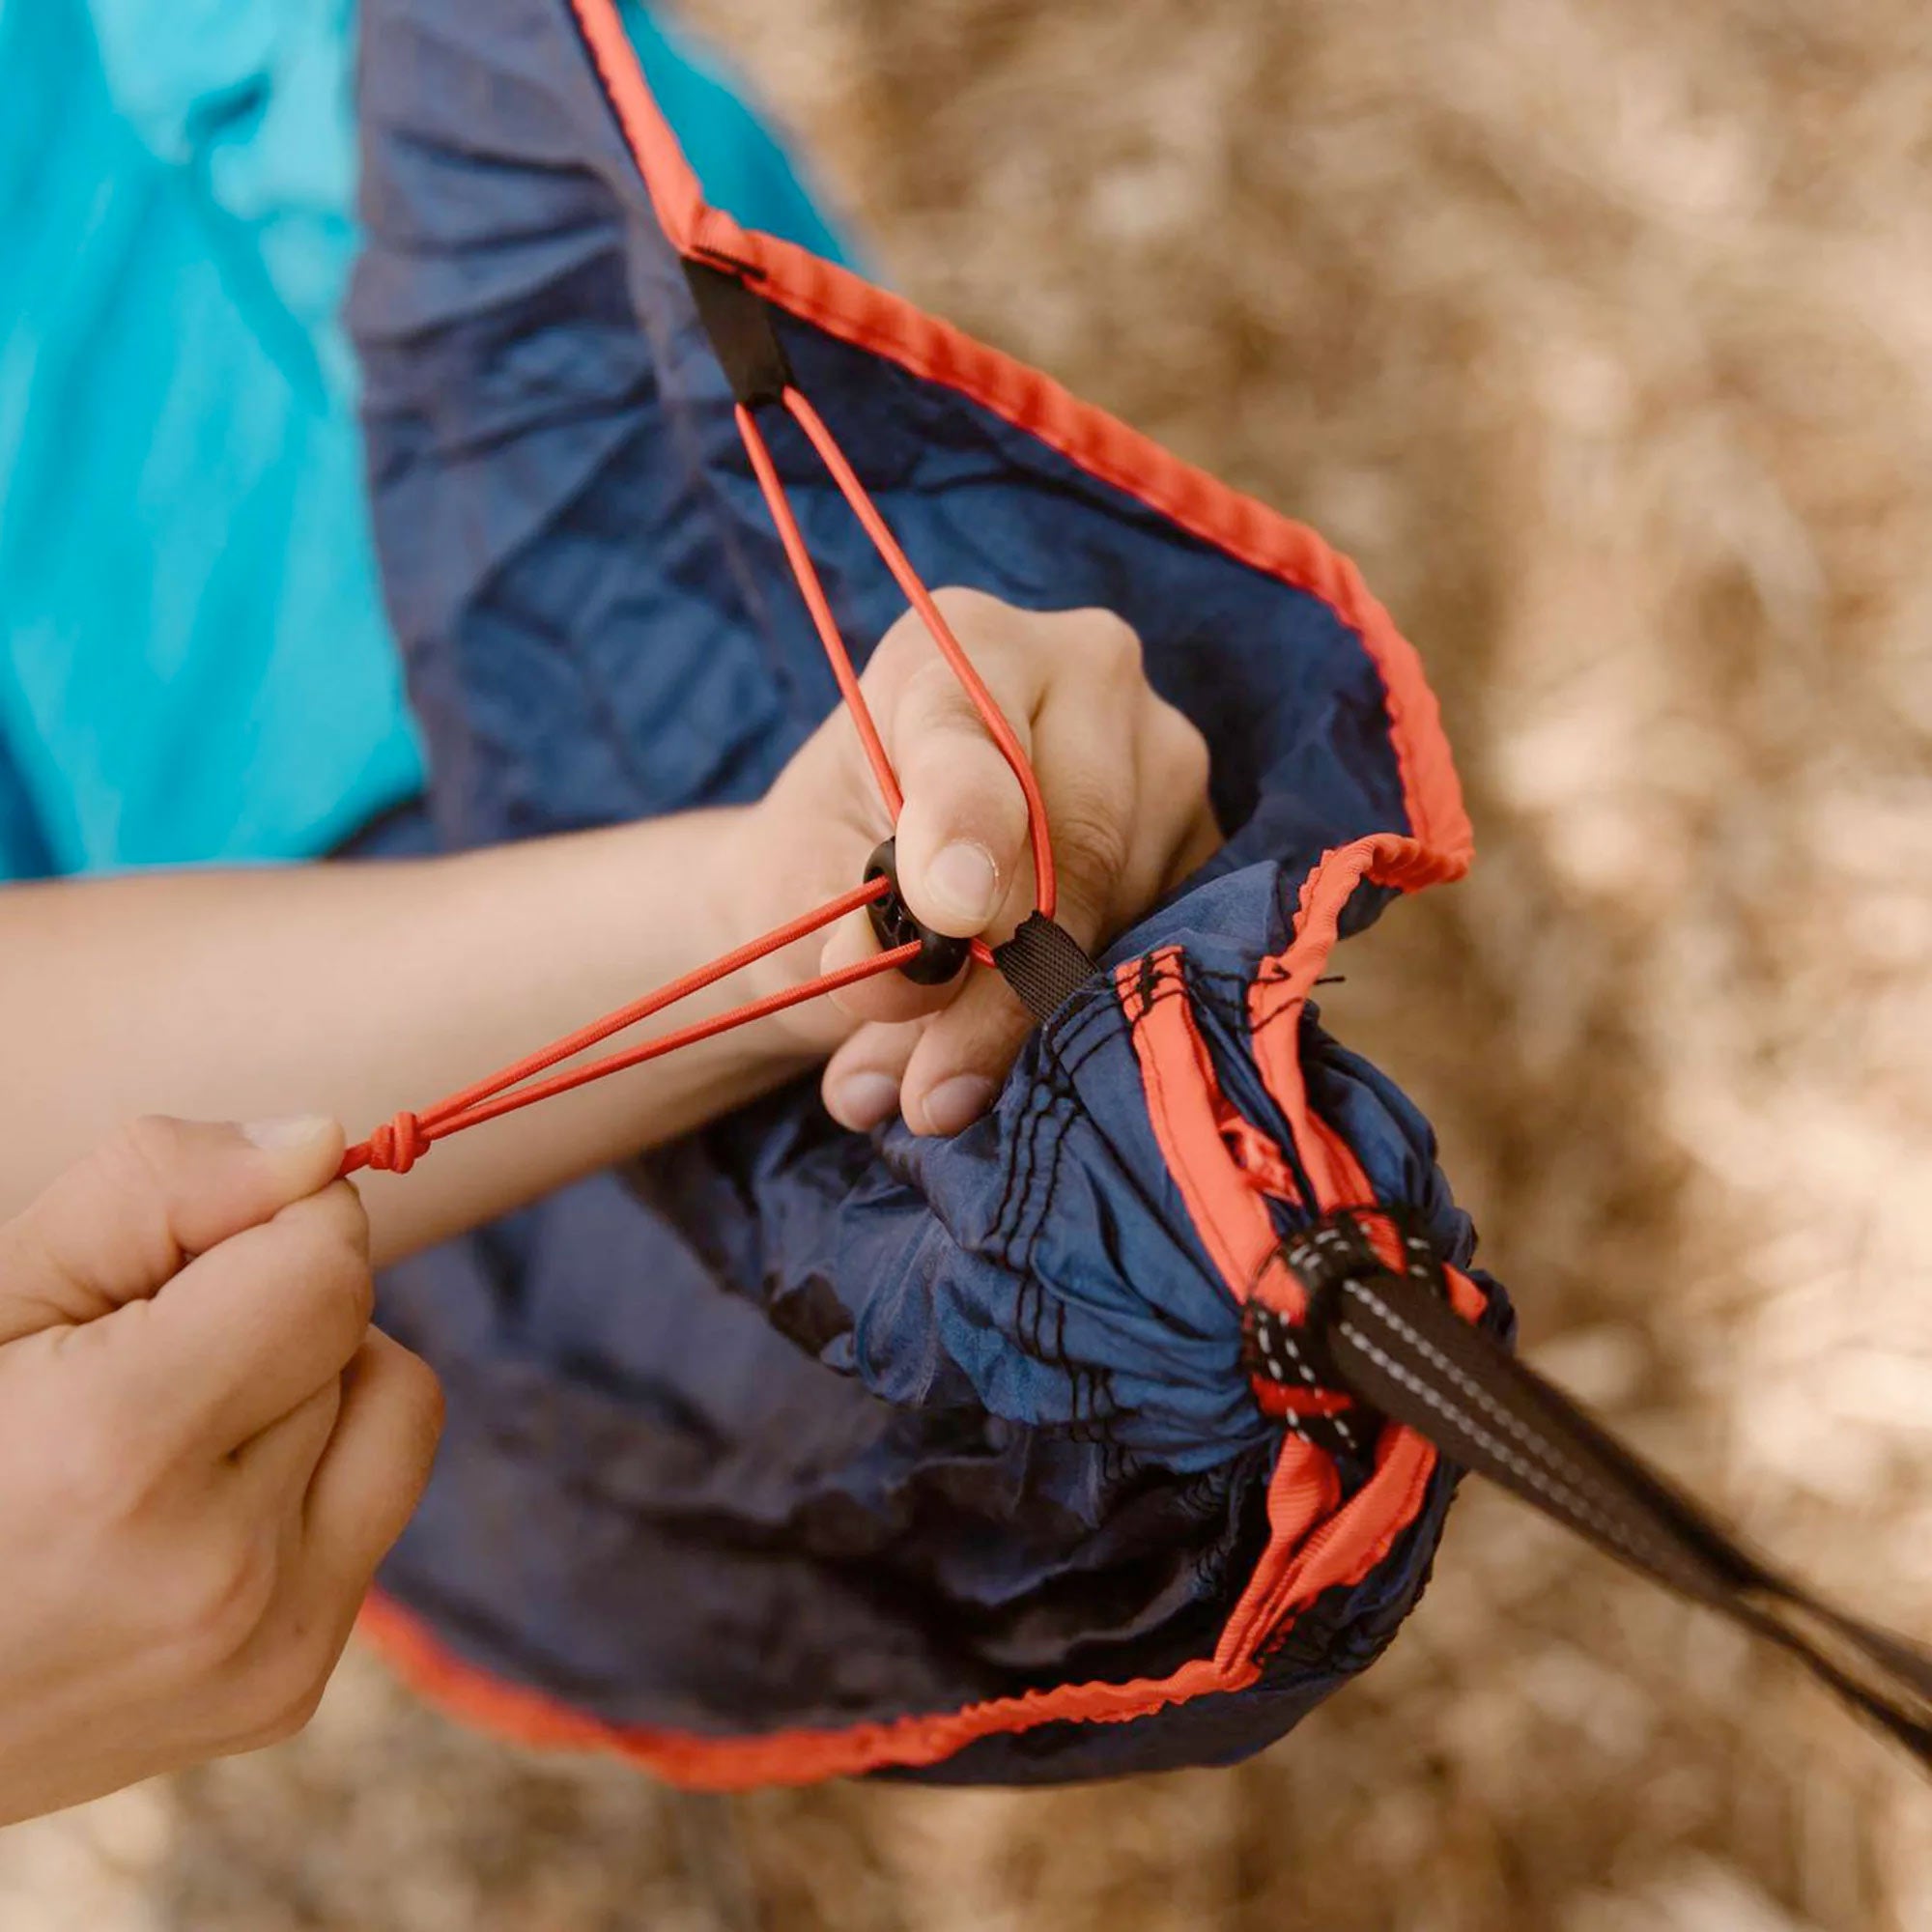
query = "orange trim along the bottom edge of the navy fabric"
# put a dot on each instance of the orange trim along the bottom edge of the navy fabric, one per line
(778, 1759)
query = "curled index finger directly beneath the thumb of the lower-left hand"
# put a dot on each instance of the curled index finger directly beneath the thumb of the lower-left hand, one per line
(260, 1324)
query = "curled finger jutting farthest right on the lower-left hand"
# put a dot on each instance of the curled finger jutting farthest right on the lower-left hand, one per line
(372, 1477)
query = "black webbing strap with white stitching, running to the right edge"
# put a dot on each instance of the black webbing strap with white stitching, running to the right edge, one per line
(1398, 1346)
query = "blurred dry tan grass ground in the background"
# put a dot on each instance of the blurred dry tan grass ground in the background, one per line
(1603, 337)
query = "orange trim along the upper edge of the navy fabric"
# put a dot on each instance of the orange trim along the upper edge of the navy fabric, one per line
(857, 312)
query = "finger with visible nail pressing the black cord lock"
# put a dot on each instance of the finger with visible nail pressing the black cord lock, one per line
(961, 838)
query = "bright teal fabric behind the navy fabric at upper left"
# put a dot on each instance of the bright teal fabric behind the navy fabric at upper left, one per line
(194, 662)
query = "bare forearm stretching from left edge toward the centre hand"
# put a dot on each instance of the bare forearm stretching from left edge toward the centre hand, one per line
(362, 988)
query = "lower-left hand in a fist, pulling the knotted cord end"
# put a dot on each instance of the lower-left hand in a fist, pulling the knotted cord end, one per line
(204, 1454)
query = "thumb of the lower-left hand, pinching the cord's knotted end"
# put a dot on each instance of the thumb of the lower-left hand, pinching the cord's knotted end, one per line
(123, 1222)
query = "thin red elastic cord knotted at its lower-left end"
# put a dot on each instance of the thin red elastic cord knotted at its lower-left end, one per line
(401, 1143)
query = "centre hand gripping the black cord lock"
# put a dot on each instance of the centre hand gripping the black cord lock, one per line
(1125, 783)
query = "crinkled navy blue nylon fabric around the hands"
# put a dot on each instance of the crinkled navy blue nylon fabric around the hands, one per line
(787, 1427)
